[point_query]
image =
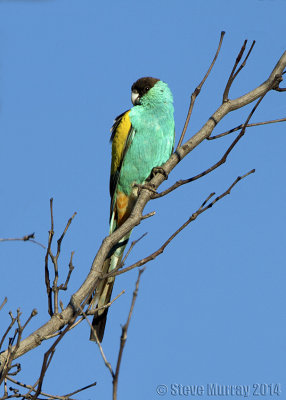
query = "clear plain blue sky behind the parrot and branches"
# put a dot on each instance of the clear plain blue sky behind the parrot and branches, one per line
(211, 309)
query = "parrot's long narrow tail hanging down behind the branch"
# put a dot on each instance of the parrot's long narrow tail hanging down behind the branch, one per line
(104, 290)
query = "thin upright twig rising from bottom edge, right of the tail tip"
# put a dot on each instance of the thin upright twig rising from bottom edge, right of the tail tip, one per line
(124, 335)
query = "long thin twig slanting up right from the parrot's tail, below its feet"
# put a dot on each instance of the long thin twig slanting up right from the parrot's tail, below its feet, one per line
(194, 216)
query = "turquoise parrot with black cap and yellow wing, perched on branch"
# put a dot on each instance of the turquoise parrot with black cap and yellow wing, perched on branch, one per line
(142, 140)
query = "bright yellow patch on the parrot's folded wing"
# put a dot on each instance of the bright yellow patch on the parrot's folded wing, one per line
(119, 140)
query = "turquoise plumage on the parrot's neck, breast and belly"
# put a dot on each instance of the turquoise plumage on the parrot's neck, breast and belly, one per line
(152, 136)
